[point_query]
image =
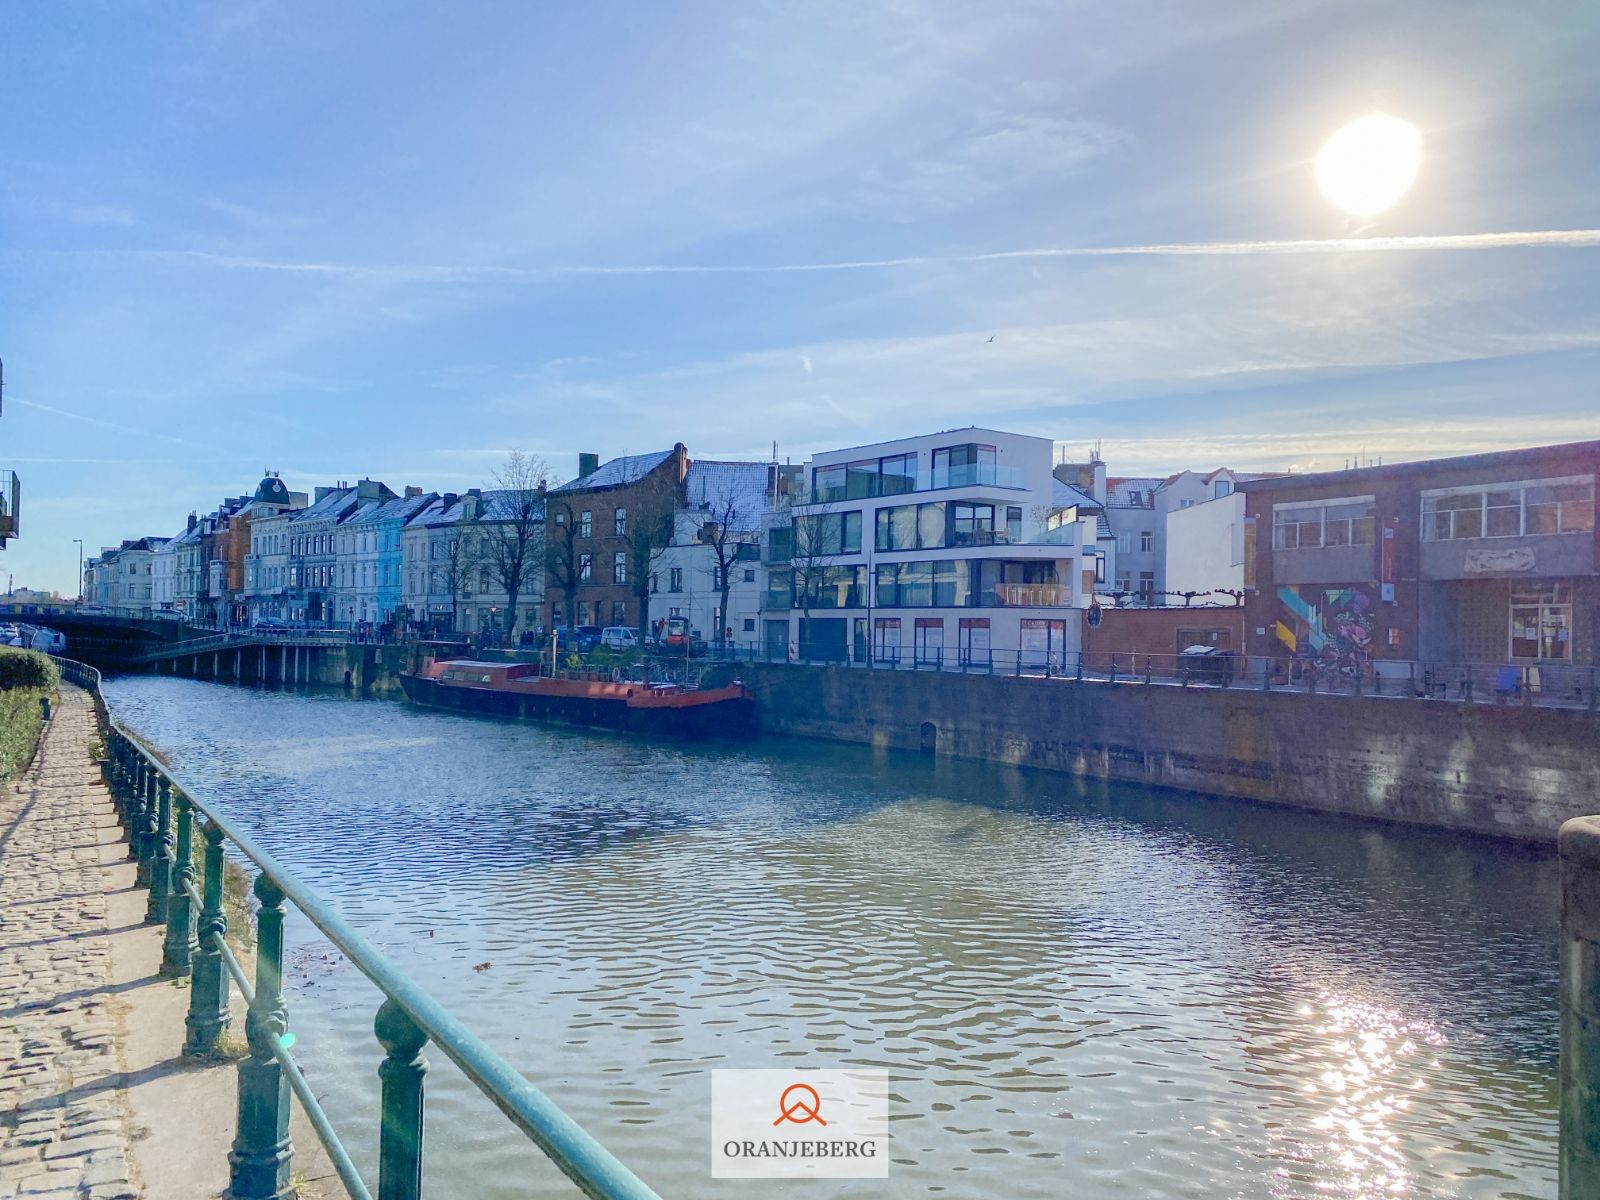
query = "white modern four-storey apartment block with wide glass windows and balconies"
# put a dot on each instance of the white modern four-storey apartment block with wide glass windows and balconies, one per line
(938, 550)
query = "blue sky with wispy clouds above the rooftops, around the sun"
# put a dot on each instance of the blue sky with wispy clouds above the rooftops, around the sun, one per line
(396, 241)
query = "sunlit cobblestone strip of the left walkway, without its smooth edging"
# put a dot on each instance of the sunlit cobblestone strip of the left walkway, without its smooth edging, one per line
(63, 1127)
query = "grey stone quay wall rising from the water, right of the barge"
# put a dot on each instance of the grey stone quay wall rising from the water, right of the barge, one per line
(1502, 770)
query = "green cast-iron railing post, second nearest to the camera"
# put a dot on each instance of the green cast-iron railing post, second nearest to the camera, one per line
(260, 1161)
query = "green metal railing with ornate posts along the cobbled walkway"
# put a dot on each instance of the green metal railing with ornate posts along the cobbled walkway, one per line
(159, 814)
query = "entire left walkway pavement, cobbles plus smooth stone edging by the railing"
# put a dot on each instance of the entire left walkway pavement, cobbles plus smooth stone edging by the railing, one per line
(97, 1102)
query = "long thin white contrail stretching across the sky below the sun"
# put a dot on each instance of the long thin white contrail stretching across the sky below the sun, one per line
(1564, 239)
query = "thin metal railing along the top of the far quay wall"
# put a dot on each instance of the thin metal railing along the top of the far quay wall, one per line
(1543, 686)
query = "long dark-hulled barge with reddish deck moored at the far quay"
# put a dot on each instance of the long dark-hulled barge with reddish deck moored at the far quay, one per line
(522, 692)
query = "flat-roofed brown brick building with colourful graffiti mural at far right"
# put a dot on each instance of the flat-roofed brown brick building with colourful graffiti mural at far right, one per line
(1479, 559)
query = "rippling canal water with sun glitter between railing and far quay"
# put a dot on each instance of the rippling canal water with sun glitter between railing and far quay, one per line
(1081, 991)
